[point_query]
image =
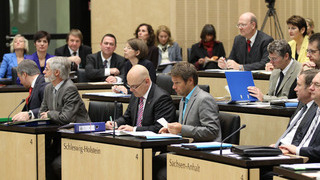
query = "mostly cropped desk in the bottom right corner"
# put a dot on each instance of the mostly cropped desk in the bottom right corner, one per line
(295, 175)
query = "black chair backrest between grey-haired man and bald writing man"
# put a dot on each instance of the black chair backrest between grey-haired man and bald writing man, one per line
(101, 111)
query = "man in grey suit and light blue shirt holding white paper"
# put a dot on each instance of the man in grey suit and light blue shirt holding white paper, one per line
(198, 111)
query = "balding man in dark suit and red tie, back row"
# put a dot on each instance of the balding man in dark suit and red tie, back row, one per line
(249, 51)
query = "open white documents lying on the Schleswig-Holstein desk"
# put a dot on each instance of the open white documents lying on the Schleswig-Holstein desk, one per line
(141, 134)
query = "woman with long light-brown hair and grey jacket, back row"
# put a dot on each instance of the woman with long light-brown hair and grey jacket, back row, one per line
(169, 50)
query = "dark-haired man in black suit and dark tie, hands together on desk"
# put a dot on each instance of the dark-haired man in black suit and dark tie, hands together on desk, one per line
(106, 65)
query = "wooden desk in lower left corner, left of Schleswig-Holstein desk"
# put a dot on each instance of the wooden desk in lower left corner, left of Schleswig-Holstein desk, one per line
(22, 151)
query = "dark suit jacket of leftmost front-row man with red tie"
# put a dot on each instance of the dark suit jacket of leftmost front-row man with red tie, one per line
(36, 97)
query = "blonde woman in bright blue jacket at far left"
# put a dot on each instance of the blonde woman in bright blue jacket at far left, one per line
(18, 47)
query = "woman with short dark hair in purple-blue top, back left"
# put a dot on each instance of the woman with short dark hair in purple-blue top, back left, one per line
(41, 42)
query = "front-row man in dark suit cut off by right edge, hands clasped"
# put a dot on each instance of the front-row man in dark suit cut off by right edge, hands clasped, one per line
(308, 139)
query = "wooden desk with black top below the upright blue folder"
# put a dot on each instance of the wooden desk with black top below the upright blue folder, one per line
(264, 125)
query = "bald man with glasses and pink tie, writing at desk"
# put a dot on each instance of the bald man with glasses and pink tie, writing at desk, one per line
(148, 103)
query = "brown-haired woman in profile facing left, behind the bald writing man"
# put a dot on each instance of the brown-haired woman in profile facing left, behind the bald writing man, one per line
(136, 52)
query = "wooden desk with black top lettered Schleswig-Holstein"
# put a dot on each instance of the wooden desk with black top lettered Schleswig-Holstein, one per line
(99, 157)
